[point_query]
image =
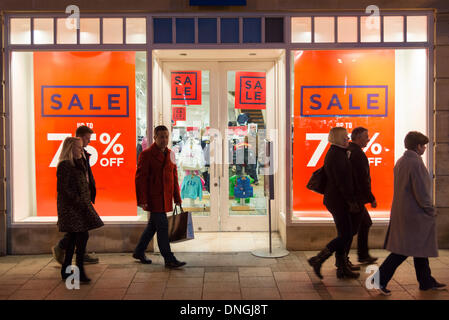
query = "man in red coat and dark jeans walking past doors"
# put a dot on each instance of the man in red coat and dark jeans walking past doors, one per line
(156, 187)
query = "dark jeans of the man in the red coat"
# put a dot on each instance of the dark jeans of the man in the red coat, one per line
(157, 223)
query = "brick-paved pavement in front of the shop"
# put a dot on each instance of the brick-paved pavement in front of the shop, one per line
(215, 276)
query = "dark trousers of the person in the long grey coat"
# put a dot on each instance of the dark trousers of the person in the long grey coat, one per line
(422, 269)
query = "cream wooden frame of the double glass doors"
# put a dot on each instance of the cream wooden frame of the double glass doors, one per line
(219, 219)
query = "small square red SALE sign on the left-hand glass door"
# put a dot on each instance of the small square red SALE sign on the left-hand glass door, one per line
(186, 88)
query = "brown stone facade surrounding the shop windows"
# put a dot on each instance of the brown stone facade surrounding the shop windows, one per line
(37, 238)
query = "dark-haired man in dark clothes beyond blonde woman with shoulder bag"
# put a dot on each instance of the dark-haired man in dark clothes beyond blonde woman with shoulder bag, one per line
(362, 180)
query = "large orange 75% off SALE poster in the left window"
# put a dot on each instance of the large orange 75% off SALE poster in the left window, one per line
(96, 89)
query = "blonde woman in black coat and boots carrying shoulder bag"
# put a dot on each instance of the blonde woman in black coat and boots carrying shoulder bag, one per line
(339, 199)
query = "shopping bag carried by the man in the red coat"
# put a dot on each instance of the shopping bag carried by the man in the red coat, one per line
(180, 226)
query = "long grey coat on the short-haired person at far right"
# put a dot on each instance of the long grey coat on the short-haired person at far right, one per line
(412, 229)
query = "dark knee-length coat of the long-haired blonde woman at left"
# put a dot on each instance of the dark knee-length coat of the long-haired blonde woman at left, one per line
(75, 210)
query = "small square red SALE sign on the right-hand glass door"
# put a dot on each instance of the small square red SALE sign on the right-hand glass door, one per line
(250, 90)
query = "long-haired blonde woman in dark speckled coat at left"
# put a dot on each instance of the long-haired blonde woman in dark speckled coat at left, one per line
(76, 215)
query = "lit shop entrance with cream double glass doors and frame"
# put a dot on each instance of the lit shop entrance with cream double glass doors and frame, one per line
(220, 113)
